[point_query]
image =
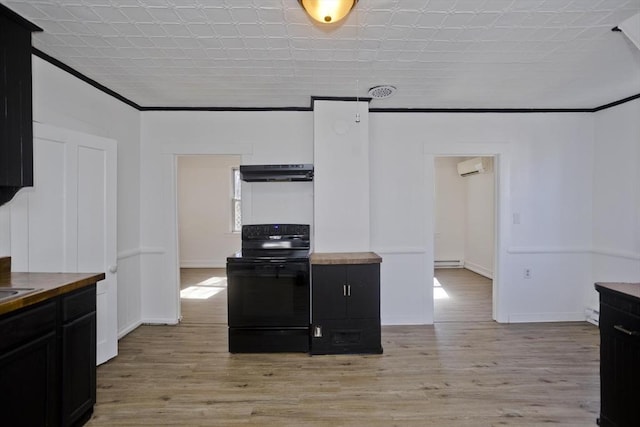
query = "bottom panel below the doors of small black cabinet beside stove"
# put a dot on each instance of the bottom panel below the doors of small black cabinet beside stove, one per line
(353, 336)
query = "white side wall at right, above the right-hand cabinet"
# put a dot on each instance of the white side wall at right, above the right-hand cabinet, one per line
(616, 197)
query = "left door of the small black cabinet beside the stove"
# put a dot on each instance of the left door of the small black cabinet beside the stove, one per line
(329, 292)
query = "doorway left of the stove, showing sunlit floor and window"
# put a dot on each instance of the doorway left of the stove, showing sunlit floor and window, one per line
(207, 207)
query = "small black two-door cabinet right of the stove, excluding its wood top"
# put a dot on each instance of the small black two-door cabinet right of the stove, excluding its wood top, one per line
(345, 308)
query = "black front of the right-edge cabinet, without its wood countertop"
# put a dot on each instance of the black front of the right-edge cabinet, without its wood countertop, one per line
(620, 370)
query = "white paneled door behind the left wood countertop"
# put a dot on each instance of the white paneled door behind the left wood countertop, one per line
(67, 221)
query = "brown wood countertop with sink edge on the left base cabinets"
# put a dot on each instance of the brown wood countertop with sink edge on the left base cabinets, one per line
(47, 285)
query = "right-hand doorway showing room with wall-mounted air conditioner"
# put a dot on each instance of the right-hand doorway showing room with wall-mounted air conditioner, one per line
(464, 238)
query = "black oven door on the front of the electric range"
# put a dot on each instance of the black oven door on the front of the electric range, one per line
(268, 294)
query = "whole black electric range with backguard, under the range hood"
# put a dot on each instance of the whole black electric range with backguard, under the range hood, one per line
(268, 290)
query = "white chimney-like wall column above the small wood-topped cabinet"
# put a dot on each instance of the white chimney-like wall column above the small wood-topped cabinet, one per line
(341, 181)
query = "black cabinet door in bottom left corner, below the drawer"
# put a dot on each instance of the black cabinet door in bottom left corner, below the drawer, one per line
(28, 384)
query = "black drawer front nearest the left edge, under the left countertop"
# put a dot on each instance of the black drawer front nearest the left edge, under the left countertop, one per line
(27, 324)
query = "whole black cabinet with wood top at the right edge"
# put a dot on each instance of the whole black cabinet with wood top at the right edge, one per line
(619, 354)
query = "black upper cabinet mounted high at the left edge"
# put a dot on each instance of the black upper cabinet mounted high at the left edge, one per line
(16, 117)
